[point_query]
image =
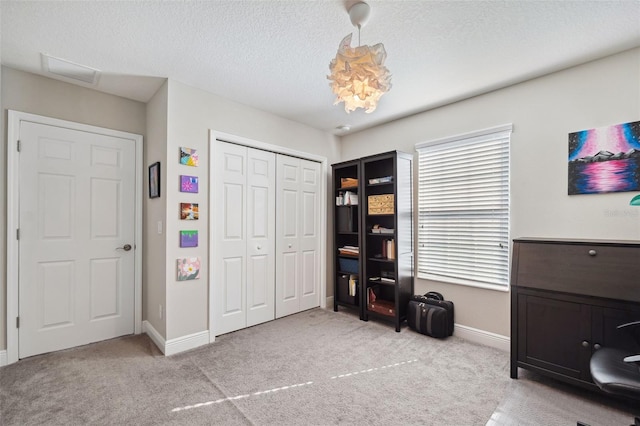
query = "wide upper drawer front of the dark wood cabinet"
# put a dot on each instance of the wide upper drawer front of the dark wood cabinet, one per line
(591, 269)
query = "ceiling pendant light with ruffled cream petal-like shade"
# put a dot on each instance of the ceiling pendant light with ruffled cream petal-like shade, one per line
(358, 75)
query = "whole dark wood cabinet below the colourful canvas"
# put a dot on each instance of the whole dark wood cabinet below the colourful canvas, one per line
(567, 298)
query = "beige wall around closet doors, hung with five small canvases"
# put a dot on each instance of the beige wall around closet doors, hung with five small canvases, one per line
(192, 112)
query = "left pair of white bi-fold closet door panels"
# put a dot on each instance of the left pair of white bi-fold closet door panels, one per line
(244, 252)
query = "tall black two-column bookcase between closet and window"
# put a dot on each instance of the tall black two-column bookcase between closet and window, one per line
(353, 226)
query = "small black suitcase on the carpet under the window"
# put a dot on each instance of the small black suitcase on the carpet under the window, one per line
(431, 315)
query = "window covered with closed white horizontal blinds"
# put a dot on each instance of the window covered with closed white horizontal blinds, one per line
(463, 208)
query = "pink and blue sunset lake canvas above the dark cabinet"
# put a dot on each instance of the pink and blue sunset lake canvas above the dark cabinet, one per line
(606, 159)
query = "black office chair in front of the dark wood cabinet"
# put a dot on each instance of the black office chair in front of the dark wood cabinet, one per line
(616, 371)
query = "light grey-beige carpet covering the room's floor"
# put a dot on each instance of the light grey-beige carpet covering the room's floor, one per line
(314, 368)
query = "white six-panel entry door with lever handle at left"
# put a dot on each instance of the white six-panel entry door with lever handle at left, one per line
(77, 228)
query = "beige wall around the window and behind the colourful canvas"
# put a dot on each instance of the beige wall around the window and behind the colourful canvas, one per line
(543, 111)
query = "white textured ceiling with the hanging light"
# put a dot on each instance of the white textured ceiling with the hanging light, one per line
(274, 54)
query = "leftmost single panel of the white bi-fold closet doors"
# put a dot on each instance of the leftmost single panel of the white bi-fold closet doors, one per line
(230, 247)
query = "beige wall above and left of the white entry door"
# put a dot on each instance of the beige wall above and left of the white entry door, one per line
(43, 96)
